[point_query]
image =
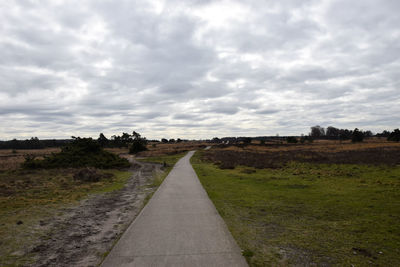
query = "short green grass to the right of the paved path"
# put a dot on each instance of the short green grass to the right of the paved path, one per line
(309, 213)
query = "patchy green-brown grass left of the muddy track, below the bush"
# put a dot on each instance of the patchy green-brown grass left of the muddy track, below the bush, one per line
(33, 195)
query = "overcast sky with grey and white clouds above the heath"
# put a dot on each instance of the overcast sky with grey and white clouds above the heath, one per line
(197, 69)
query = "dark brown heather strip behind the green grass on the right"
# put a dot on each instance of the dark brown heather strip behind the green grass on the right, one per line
(372, 152)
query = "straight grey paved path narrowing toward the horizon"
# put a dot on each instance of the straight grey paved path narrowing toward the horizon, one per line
(178, 227)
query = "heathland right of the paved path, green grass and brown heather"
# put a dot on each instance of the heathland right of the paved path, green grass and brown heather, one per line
(329, 202)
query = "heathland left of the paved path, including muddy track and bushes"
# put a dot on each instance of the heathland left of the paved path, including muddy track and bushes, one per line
(57, 204)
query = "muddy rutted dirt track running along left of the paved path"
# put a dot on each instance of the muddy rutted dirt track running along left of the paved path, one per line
(85, 233)
